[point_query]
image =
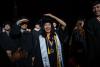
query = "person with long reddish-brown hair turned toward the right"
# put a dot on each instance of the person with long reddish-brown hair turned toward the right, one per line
(79, 46)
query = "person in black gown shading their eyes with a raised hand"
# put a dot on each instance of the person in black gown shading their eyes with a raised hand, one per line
(24, 50)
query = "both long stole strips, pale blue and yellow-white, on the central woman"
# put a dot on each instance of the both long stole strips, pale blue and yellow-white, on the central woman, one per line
(45, 52)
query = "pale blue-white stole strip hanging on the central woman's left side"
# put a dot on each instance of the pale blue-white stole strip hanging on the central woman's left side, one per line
(44, 53)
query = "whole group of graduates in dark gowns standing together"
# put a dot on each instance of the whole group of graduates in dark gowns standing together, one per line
(49, 43)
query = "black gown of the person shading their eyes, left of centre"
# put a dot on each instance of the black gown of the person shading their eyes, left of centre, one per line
(26, 43)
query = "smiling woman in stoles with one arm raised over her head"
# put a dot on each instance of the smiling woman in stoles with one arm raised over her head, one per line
(49, 47)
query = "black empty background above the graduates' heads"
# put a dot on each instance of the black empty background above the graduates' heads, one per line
(68, 10)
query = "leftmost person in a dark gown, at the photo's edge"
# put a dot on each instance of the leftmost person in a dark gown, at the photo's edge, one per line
(6, 46)
